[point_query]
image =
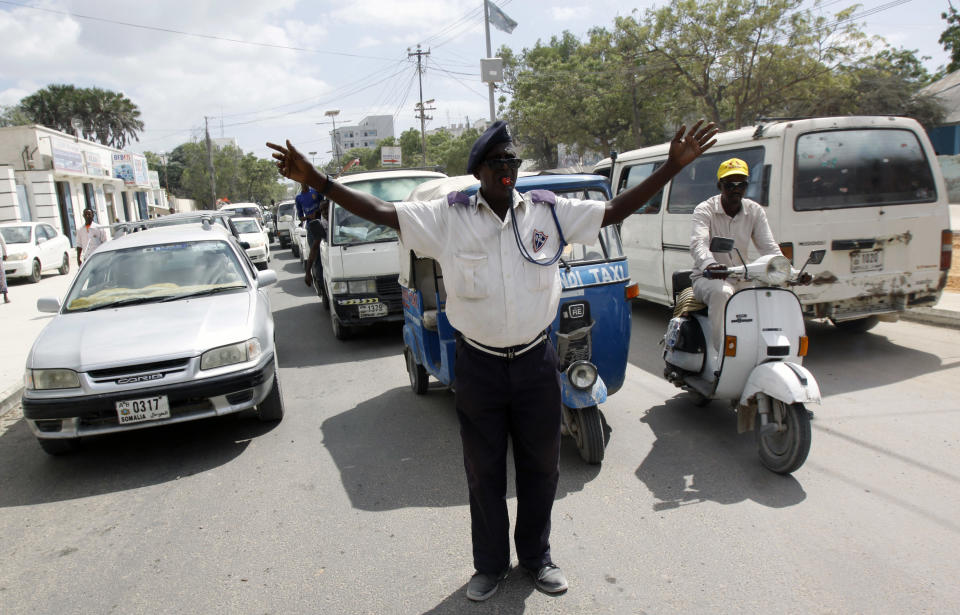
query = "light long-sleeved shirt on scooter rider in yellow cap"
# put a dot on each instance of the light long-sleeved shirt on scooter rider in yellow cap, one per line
(709, 220)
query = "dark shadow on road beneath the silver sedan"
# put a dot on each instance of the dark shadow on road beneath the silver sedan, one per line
(120, 462)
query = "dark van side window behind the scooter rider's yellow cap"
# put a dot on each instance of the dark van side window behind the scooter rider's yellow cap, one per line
(698, 181)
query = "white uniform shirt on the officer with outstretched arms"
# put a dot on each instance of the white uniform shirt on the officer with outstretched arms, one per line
(494, 295)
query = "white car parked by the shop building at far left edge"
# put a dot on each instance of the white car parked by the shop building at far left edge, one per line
(32, 248)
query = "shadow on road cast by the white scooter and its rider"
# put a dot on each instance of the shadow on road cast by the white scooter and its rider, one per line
(698, 456)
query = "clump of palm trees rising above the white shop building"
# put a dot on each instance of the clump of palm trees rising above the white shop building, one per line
(107, 117)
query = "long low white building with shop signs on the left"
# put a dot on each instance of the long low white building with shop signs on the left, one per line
(50, 176)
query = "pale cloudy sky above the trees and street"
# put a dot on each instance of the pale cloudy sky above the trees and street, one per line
(260, 70)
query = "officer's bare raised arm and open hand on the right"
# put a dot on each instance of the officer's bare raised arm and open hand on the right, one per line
(684, 149)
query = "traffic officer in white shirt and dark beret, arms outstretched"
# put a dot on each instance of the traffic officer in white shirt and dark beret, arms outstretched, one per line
(501, 297)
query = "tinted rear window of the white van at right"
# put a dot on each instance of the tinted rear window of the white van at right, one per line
(839, 169)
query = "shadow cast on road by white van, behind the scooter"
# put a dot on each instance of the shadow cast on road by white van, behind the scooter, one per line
(835, 354)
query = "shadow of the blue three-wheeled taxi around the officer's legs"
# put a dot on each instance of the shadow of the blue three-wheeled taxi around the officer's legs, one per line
(401, 450)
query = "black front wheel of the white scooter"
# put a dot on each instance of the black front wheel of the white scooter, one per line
(785, 450)
